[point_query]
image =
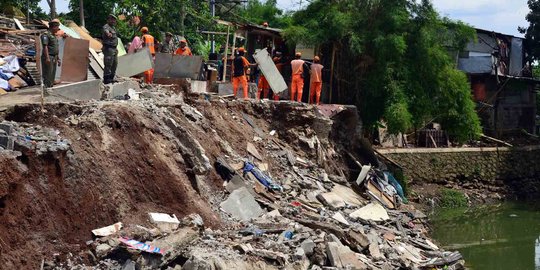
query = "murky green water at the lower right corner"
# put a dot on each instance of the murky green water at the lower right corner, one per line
(500, 237)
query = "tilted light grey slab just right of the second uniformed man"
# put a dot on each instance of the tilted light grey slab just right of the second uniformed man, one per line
(134, 63)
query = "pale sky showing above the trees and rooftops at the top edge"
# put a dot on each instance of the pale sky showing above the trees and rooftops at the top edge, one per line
(498, 15)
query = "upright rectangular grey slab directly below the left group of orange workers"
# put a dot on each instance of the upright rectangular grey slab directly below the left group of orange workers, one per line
(177, 66)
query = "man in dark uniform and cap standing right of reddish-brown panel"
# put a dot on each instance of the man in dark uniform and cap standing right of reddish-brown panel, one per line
(110, 41)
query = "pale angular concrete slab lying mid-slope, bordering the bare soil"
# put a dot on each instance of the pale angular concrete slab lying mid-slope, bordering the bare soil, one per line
(242, 205)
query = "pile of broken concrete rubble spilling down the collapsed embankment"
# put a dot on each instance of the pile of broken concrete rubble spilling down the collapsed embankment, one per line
(286, 202)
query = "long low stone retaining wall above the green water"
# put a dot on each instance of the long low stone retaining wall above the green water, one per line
(497, 165)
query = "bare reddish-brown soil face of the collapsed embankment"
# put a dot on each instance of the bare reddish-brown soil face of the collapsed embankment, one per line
(124, 162)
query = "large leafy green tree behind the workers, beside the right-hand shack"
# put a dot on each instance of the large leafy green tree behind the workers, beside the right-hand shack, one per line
(393, 61)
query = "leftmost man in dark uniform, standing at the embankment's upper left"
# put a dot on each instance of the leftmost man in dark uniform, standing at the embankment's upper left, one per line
(49, 54)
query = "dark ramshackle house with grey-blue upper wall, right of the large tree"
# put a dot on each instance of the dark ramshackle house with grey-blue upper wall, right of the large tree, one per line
(501, 82)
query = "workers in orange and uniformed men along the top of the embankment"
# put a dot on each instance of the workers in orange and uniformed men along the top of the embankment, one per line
(240, 65)
